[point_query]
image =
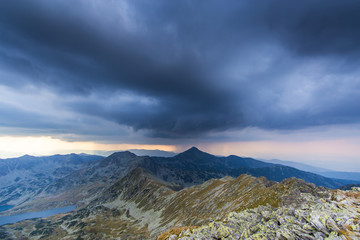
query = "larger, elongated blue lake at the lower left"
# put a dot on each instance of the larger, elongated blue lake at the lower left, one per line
(42, 214)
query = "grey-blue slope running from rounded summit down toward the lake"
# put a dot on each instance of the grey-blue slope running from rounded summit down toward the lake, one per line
(83, 185)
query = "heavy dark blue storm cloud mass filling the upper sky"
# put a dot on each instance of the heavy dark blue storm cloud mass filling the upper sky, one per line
(178, 54)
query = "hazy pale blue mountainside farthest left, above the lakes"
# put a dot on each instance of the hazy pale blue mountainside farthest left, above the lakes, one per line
(25, 177)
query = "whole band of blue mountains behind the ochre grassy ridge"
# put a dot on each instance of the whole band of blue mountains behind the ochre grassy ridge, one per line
(36, 183)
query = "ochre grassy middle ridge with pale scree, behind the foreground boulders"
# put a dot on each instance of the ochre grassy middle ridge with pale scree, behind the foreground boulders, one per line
(141, 206)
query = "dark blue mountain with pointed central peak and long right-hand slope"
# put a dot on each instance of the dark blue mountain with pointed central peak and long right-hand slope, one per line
(194, 167)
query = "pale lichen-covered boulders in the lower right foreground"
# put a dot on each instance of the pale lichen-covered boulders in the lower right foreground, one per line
(336, 217)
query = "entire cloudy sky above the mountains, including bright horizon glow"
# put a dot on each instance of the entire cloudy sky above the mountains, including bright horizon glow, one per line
(266, 79)
